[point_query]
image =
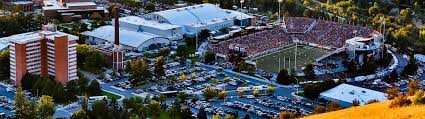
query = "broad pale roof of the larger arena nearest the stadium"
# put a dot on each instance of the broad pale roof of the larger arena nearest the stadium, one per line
(203, 13)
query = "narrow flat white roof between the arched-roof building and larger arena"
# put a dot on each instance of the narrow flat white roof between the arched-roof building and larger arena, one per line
(149, 23)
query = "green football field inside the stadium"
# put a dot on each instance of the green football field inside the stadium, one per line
(305, 56)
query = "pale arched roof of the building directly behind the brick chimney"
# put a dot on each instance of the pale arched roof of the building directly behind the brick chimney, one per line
(127, 37)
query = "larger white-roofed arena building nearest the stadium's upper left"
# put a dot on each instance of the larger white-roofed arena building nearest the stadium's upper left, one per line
(203, 16)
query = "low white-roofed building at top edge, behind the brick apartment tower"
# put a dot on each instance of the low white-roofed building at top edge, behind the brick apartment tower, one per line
(69, 9)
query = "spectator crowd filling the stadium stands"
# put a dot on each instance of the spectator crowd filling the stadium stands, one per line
(307, 30)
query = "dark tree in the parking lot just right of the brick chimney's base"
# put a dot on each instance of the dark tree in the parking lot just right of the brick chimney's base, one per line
(139, 72)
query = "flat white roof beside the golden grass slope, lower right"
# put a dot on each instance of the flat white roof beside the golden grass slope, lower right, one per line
(348, 93)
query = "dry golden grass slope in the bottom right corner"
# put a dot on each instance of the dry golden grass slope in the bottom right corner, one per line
(375, 111)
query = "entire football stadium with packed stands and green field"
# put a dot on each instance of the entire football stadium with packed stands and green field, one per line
(298, 42)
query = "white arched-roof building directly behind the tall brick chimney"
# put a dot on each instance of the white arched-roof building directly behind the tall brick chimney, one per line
(130, 40)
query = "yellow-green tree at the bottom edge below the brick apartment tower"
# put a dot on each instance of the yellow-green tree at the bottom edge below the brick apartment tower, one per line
(46, 107)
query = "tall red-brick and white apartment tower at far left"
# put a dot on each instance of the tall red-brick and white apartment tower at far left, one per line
(46, 52)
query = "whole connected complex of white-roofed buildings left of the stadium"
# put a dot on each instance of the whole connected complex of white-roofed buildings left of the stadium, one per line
(159, 29)
